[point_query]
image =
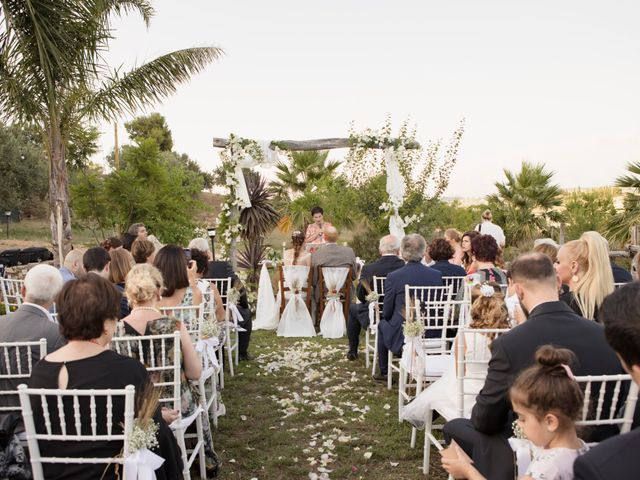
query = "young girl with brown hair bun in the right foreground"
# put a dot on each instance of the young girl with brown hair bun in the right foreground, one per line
(548, 402)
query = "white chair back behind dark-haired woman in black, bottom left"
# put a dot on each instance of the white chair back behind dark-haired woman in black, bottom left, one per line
(62, 411)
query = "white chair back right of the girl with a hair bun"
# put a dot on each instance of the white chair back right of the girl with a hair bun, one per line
(596, 390)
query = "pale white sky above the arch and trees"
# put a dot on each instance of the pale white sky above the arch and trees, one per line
(544, 81)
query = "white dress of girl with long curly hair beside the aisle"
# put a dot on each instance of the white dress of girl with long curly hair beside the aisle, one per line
(442, 395)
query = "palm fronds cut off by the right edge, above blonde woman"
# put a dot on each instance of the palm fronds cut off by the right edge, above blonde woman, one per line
(618, 226)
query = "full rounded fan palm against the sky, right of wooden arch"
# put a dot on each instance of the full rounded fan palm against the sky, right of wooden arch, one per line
(526, 202)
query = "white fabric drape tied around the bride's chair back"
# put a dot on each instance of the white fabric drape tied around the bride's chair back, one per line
(296, 320)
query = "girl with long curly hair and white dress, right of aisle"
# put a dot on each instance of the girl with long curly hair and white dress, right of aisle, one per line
(487, 311)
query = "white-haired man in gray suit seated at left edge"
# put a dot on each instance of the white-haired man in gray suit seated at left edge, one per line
(30, 322)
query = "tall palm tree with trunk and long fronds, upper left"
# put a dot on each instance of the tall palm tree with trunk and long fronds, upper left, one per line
(53, 77)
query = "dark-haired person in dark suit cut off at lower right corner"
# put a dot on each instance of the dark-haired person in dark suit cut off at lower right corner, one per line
(617, 457)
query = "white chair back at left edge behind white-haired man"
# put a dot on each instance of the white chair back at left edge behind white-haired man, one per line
(16, 363)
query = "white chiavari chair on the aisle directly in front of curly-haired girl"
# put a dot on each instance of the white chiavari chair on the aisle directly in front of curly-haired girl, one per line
(434, 307)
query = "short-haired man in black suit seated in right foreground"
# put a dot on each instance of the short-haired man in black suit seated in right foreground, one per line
(484, 436)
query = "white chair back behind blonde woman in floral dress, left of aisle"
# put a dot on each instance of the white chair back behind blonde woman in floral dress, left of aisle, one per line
(153, 352)
